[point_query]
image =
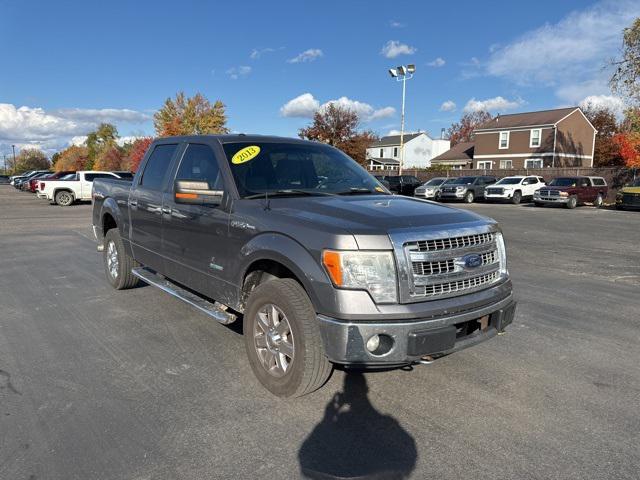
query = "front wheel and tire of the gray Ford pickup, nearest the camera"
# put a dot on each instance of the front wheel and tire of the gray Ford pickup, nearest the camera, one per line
(307, 369)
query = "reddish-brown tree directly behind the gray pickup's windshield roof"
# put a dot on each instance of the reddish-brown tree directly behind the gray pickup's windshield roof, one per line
(338, 126)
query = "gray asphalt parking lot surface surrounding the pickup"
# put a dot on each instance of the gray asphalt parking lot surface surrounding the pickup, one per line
(99, 384)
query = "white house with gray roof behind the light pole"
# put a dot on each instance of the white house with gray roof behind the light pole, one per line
(419, 149)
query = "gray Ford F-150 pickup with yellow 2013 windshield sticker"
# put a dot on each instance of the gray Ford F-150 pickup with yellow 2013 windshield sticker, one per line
(321, 262)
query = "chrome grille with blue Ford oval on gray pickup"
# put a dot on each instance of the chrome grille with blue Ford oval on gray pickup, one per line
(443, 267)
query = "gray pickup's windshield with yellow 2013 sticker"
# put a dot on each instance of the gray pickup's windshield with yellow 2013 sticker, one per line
(296, 169)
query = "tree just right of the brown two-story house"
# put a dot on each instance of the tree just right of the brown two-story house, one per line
(607, 151)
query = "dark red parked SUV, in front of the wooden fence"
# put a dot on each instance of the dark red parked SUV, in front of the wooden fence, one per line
(572, 191)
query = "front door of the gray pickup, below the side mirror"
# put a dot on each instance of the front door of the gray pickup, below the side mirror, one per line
(195, 236)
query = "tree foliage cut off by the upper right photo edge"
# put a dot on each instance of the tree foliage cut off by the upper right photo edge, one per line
(626, 76)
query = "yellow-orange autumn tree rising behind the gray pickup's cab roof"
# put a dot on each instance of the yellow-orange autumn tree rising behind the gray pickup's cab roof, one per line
(190, 116)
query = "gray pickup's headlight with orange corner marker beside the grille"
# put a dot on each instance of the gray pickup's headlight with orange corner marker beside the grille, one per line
(374, 272)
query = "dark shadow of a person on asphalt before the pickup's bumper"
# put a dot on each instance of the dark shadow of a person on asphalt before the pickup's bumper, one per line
(355, 441)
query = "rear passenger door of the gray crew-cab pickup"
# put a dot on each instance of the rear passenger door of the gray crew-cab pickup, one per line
(145, 205)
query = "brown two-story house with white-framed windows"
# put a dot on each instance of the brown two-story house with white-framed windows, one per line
(551, 138)
